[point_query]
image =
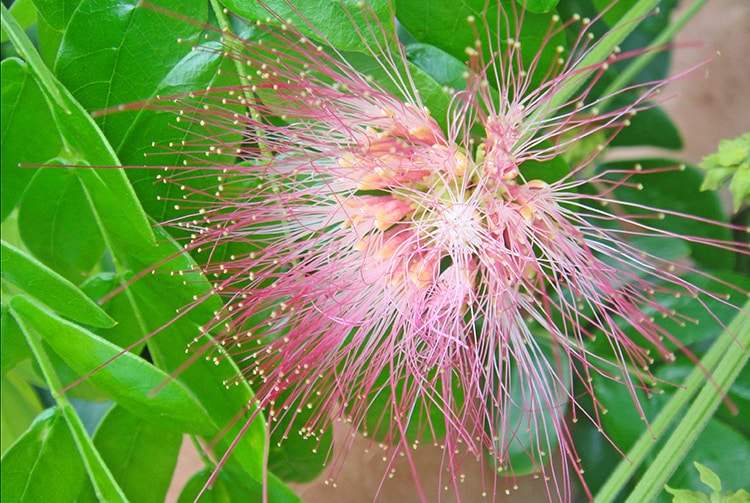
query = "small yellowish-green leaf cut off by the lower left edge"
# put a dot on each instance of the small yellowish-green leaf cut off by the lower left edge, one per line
(20, 405)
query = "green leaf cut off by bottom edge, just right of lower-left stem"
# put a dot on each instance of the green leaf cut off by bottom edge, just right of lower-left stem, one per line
(141, 455)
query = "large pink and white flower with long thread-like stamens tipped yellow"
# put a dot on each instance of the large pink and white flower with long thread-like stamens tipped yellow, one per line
(414, 279)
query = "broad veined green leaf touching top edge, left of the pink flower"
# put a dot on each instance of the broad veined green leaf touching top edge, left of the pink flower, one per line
(107, 57)
